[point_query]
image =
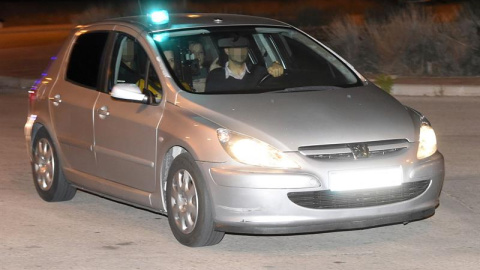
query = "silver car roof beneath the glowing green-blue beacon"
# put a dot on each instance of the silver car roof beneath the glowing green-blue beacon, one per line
(194, 20)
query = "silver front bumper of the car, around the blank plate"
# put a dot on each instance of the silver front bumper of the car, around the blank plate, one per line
(256, 203)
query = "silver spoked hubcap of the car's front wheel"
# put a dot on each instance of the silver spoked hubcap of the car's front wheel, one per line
(184, 200)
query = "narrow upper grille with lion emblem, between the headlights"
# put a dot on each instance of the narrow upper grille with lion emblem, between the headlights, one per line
(349, 151)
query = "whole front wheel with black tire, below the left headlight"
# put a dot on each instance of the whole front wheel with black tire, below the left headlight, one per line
(189, 208)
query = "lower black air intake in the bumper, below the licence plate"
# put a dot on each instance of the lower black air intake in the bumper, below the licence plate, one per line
(327, 199)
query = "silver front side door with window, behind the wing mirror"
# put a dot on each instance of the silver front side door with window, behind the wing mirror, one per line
(126, 132)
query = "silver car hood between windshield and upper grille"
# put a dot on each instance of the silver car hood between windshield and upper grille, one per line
(294, 119)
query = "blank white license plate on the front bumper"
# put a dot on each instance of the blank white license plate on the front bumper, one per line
(365, 178)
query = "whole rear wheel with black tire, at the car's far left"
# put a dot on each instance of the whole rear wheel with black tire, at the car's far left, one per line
(47, 173)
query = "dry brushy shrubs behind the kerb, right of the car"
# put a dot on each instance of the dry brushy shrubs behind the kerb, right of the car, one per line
(411, 42)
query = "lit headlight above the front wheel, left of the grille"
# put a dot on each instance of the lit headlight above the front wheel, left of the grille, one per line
(251, 151)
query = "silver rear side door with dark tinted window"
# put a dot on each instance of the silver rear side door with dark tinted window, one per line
(72, 99)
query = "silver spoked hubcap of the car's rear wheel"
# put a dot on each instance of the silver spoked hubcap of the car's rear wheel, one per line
(44, 164)
